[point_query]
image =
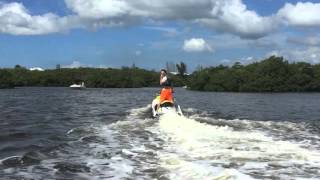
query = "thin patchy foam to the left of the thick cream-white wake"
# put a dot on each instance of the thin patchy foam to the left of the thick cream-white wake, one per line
(123, 154)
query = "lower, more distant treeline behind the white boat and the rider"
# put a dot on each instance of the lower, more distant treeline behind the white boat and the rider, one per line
(126, 77)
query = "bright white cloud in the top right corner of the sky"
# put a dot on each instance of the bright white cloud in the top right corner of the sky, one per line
(301, 14)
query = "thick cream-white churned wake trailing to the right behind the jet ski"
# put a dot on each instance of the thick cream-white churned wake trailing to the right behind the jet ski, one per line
(197, 150)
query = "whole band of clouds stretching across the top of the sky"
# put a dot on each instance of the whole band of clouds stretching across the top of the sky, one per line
(229, 16)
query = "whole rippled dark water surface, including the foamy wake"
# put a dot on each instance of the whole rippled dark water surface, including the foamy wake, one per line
(58, 133)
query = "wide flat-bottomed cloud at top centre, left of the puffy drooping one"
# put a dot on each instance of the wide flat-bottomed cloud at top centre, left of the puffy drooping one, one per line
(156, 9)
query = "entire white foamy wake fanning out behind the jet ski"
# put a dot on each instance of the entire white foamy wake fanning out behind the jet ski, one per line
(176, 147)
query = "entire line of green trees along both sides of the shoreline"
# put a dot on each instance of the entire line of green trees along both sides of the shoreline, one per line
(273, 74)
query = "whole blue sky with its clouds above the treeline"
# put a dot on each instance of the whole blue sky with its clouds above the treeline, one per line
(105, 33)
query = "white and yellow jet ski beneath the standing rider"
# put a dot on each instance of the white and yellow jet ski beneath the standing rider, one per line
(165, 107)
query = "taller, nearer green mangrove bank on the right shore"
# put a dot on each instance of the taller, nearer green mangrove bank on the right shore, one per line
(273, 74)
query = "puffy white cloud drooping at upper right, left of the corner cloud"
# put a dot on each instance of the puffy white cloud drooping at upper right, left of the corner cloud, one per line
(233, 16)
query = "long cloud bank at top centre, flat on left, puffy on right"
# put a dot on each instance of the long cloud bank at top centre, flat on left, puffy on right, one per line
(230, 16)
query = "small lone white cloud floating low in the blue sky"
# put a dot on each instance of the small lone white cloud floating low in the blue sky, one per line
(196, 45)
